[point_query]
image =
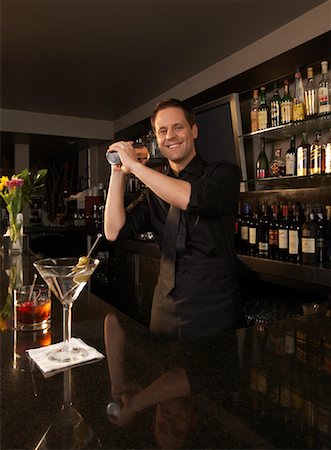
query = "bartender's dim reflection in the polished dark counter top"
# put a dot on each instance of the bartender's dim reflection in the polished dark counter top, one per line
(175, 387)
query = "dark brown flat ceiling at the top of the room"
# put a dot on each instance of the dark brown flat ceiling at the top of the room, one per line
(103, 58)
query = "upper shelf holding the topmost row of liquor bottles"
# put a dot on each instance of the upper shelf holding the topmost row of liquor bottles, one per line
(286, 131)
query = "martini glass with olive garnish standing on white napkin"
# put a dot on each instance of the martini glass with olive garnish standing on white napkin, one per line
(66, 277)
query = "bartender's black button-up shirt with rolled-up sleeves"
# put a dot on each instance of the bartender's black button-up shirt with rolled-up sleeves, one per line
(210, 216)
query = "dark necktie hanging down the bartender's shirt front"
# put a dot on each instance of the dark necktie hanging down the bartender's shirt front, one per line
(168, 256)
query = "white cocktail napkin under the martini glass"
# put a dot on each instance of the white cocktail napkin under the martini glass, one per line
(39, 356)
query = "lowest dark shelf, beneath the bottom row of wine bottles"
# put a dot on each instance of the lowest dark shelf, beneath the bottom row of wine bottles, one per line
(294, 274)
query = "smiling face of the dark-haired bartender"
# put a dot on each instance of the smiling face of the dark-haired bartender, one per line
(175, 136)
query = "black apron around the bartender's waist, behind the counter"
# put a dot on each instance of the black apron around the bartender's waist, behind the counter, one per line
(205, 301)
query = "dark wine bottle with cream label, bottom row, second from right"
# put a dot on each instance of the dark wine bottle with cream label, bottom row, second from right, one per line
(308, 237)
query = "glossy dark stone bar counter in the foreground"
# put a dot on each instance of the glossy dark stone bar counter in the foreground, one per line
(258, 387)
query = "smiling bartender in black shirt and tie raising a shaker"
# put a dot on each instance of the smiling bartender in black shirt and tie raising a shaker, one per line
(202, 296)
